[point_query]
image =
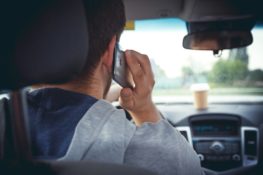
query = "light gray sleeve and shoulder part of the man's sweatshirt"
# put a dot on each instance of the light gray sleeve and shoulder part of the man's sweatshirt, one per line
(105, 135)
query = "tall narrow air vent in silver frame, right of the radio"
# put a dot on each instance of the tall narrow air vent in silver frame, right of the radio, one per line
(250, 145)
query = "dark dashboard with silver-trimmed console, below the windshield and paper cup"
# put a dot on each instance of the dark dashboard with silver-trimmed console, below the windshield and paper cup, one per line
(226, 137)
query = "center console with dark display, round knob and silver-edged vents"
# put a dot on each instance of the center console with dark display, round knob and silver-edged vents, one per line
(221, 142)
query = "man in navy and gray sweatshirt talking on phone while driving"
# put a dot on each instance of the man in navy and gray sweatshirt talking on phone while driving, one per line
(71, 121)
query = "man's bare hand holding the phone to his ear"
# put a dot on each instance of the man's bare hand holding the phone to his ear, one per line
(138, 101)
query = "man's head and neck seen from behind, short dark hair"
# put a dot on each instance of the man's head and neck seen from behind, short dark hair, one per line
(106, 21)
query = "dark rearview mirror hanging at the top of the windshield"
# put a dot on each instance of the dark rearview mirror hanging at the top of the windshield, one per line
(219, 35)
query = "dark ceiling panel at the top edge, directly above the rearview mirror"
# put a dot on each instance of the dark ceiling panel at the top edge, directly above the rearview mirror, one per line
(216, 10)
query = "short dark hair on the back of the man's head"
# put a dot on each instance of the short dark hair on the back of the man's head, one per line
(106, 18)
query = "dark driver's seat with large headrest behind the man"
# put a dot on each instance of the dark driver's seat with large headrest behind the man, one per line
(40, 42)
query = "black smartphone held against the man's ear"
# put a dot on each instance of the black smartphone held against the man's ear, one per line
(120, 72)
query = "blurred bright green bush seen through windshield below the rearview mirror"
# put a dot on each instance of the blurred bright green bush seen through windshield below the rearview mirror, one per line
(227, 72)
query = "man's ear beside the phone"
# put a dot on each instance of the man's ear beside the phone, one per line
(107, 57)
